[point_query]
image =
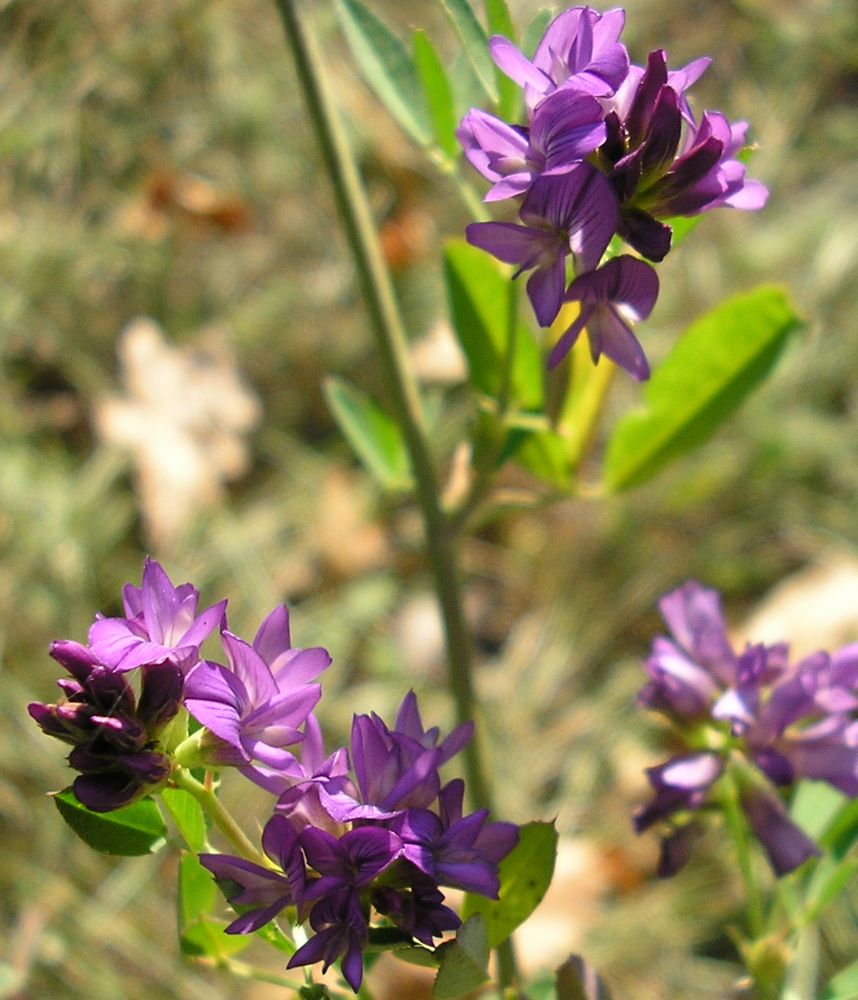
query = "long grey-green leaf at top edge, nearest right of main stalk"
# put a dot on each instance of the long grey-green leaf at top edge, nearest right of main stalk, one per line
(386, 66)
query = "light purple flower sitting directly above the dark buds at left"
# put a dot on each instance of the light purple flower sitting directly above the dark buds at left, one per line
(160, 621)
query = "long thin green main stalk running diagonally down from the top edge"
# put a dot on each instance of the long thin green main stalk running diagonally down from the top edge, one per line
(354, 212)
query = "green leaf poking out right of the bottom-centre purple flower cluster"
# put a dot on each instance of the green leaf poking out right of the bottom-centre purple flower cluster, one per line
(525, 874)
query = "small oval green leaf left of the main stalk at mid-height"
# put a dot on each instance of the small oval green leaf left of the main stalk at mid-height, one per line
(375, 437)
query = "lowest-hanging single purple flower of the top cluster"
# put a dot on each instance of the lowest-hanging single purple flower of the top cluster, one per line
(621, 292)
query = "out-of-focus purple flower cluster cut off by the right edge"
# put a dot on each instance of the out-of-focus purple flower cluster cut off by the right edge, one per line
(766, 720)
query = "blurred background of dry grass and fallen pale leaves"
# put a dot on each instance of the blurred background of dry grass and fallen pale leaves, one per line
(174, 290)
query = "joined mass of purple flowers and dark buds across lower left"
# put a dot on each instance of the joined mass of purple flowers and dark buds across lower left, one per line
(363, 830)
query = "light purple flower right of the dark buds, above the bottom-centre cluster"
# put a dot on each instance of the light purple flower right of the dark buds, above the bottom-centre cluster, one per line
(255, 707)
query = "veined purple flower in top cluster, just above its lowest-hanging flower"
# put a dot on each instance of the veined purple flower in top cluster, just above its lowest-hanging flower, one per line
(569, 213)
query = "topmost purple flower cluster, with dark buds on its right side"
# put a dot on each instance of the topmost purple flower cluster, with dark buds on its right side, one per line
(608, 149)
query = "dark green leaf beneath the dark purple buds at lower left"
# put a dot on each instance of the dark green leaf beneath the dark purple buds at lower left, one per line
(130, 831)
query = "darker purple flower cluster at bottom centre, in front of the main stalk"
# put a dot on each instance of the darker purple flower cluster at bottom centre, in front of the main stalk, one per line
(382, 839)
